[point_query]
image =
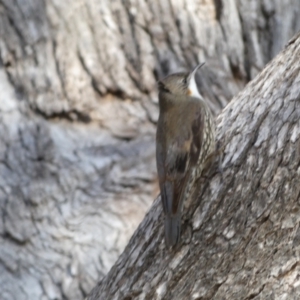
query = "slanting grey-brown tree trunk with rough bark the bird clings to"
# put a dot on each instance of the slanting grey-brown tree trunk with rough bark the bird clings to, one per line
(241, 238)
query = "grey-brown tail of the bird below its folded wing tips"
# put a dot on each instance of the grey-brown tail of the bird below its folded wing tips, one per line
(172, 230)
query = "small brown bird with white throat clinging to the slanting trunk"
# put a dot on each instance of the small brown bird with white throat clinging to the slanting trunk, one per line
(185, 140)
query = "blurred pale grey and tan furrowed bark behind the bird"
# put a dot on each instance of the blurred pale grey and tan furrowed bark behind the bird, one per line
(78, 107)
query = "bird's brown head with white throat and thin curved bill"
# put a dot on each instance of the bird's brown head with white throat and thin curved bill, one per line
(180, 84)
